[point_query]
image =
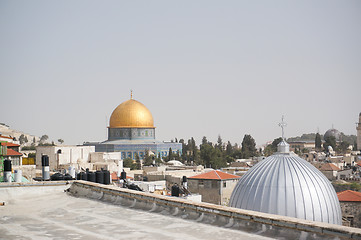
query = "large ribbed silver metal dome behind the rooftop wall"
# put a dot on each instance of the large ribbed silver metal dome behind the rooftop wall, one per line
(285, 184)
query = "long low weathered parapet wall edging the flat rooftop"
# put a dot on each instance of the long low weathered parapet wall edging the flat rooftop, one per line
(249, 221)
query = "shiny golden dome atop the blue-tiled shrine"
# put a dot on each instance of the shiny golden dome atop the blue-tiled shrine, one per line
(131, 114)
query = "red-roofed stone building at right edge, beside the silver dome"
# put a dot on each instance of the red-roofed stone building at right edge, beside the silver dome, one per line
(350, 202)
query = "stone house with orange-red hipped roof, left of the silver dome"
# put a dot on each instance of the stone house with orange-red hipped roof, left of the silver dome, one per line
(215, 186)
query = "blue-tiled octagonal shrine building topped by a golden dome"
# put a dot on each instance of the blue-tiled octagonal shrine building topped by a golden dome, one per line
(131, 131)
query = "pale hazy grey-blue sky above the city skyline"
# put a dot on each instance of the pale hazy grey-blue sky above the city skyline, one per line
(203, 68)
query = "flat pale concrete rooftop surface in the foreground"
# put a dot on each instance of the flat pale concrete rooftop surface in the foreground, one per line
(47, 212)
